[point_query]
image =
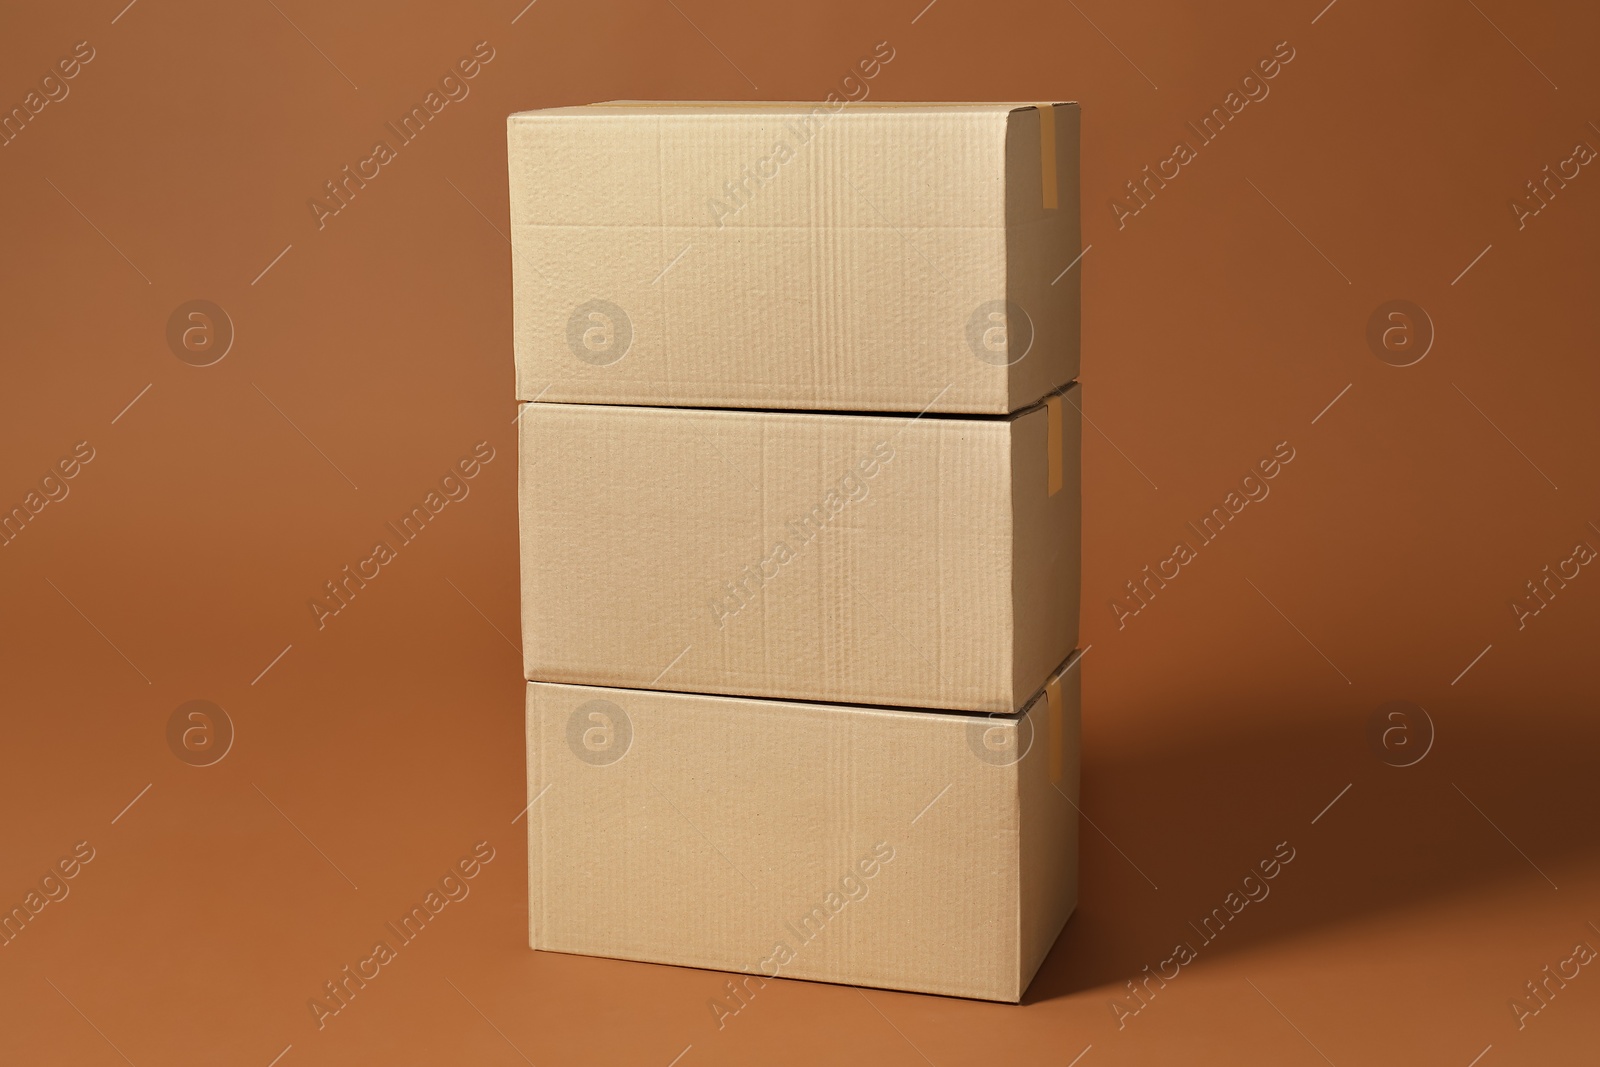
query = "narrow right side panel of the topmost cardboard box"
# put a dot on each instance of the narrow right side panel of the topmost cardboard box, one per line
(1042, 241)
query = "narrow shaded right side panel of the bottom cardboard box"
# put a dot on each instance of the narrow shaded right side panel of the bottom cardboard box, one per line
(1049, 844)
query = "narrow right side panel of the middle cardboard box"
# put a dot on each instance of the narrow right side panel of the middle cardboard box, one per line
(1047, 474)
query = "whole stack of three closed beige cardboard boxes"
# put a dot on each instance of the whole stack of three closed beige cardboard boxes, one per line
(801, 463)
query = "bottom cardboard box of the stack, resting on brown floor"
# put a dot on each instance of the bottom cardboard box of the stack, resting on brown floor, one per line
(865, 845)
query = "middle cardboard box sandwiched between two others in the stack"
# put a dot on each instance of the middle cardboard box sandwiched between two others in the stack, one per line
(921, 562)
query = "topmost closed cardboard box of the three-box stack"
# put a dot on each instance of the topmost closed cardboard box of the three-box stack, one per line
(796, 257)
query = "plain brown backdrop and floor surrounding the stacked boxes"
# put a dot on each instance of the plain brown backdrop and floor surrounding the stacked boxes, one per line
(377, 351)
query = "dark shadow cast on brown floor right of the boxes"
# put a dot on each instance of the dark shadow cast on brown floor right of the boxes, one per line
(1198, 813)
